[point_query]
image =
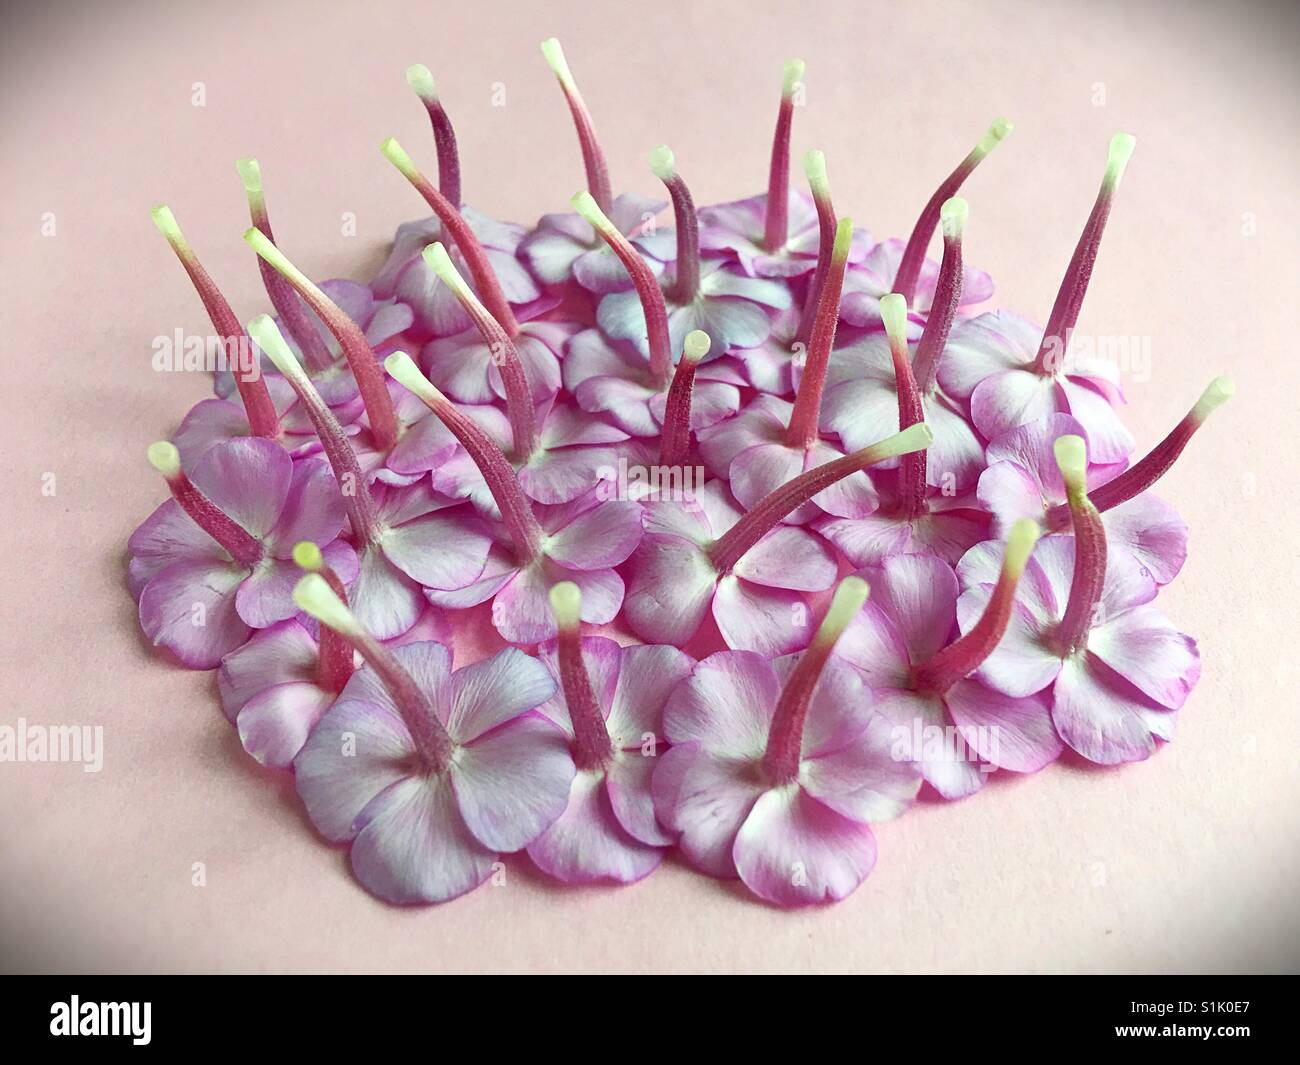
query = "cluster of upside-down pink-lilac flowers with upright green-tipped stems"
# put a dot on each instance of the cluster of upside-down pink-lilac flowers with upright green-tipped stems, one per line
(869, 538)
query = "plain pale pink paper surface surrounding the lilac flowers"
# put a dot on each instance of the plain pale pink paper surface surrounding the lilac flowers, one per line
(1189, 863)
